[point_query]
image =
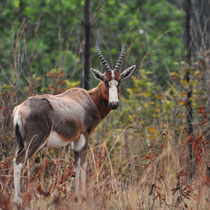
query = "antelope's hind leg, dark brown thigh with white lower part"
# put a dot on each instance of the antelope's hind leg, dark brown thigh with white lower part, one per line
(36, 131)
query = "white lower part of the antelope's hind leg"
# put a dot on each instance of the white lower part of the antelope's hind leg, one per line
(17, 172)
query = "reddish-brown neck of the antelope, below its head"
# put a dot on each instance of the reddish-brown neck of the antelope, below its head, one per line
(100, 100)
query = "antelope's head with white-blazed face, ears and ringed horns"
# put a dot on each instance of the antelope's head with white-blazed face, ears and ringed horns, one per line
(112, 78)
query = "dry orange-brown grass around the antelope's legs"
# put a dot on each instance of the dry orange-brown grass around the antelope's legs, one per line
(124, 172)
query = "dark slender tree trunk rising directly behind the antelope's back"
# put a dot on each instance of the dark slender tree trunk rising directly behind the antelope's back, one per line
(86, 63)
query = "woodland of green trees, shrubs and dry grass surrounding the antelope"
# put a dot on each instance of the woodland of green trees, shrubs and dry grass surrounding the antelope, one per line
(152, 152)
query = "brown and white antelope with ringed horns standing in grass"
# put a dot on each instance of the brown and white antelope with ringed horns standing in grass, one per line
(69, 117)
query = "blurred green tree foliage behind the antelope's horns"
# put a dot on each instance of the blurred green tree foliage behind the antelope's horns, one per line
(48, 35)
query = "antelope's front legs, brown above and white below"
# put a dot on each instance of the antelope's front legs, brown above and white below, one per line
(80, 152)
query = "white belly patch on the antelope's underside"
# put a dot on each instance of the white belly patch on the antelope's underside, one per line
(55, 141)
